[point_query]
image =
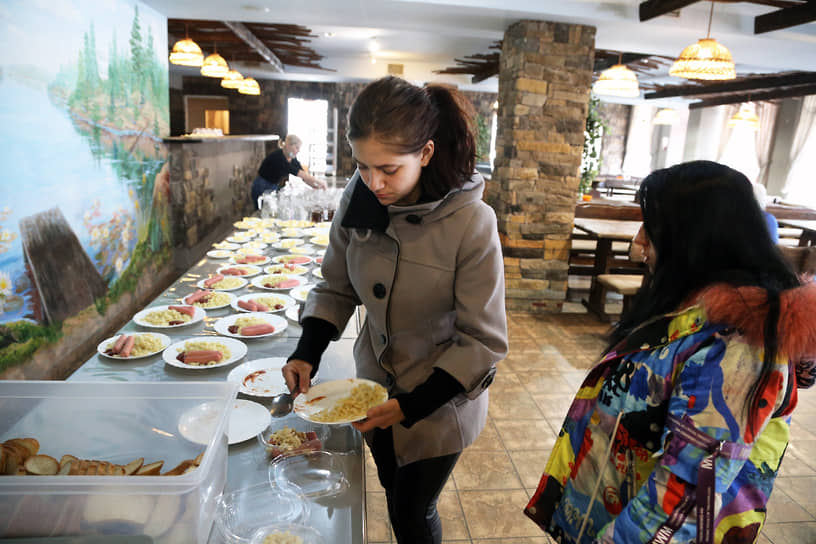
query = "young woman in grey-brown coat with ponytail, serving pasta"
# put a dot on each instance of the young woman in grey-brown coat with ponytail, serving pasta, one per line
(414, 243)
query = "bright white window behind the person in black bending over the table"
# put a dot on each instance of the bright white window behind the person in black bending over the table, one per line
(308, 119)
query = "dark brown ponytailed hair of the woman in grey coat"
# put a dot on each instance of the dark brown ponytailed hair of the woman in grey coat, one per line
(405, 116)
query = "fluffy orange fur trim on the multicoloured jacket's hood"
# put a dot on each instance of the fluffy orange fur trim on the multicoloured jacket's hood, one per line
(746, 307)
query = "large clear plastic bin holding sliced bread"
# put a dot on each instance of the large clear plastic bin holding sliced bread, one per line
(114, 422)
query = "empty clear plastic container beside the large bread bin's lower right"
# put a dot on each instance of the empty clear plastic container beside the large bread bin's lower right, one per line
(241, 513)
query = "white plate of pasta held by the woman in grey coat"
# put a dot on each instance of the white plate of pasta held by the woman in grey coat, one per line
(339, 401)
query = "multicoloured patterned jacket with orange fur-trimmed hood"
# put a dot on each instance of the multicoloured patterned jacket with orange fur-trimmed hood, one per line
(697, 365)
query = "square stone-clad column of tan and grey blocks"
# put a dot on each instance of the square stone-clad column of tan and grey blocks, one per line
(544, 85)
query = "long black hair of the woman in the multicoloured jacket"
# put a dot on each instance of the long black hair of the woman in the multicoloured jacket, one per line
(706, 227)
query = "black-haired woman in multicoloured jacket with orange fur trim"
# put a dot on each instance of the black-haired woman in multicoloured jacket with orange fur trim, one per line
(677, 434)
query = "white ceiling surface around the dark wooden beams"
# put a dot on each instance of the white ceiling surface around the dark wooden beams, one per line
(427, 35)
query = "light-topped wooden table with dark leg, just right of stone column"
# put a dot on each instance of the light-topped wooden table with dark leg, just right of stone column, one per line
(604, 231)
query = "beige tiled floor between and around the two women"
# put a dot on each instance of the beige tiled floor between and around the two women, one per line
(483, 501)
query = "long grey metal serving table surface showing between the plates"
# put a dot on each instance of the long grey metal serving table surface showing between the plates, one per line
(341, 519)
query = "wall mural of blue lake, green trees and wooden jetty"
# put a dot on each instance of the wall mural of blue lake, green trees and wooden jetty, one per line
(83, 106)
